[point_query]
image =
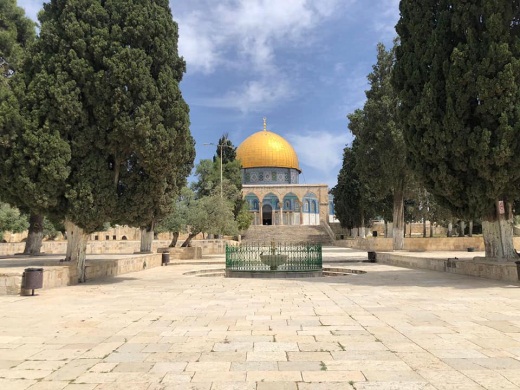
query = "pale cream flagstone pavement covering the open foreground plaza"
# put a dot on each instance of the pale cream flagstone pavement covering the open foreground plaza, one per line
(391, 328)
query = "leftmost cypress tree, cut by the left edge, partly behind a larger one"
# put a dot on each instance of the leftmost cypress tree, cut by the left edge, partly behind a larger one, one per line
(32, 186)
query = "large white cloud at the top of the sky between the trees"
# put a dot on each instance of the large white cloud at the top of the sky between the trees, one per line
(247, 31)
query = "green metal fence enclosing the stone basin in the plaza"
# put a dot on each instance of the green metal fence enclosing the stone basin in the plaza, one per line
(274, 257)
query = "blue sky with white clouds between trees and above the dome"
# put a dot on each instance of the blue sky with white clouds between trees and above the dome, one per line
(302, 64)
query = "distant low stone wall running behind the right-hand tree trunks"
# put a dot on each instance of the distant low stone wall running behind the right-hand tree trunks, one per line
(420, 244)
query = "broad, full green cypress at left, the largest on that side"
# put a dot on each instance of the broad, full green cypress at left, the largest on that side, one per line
(105, 79)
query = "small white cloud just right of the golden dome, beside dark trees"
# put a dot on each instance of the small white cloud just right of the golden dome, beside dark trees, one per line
(320, 150)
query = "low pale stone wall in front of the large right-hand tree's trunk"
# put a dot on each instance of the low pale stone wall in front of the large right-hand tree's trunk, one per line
(478, 266)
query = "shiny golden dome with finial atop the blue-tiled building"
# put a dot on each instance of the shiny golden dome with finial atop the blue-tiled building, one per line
(267, 149)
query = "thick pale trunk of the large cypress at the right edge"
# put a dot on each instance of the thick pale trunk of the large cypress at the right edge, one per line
(497, 230)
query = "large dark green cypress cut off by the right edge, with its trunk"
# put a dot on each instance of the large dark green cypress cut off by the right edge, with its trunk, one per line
(458, 75)
